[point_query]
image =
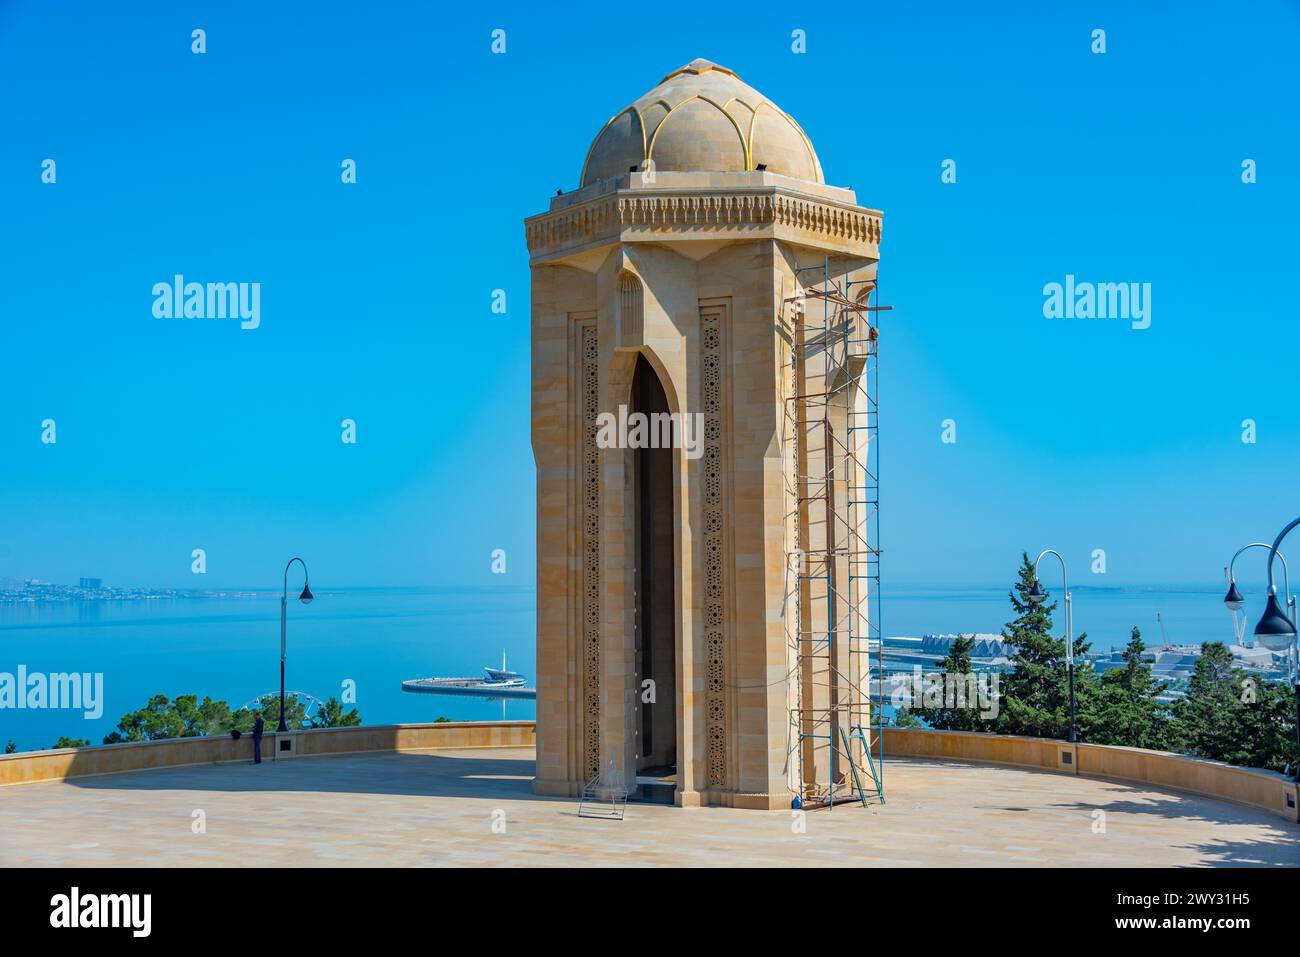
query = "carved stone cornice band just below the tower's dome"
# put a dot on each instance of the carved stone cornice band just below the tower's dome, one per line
(692, 215)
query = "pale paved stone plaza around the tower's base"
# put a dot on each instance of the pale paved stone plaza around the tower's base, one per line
(437, 809)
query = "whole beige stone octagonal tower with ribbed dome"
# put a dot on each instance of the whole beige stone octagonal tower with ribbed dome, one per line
(695, 608)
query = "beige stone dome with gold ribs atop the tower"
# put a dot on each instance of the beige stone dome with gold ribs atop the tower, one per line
(703, 119)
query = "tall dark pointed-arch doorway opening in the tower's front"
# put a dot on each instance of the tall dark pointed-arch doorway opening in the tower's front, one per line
(656, 592)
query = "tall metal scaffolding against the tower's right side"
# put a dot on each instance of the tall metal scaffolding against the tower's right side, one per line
(833, 532)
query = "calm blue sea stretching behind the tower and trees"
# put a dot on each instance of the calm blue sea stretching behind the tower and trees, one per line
(229, 648)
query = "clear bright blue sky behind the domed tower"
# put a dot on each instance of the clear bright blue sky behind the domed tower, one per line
(376, 297)
